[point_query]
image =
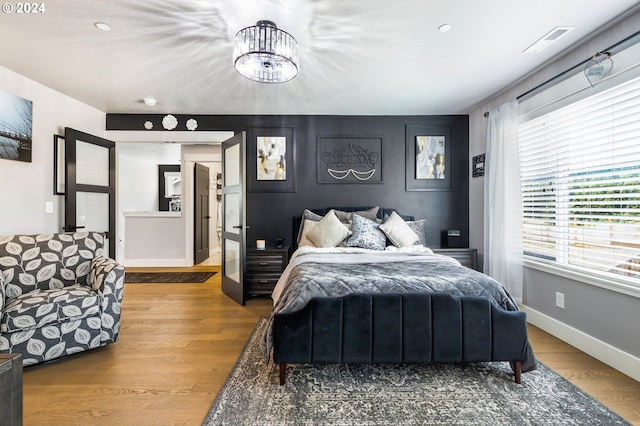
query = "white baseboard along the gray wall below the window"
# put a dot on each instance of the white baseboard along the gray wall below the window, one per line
(610, 355)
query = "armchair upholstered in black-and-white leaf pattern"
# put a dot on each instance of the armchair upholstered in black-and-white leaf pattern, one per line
(58, 295)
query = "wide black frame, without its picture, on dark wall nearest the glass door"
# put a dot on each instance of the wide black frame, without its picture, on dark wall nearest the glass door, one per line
(286, 185)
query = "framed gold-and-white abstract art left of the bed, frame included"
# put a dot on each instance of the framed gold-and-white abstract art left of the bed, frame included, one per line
(271, 159)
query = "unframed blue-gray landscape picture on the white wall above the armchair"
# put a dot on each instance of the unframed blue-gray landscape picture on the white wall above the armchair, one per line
(16, 127)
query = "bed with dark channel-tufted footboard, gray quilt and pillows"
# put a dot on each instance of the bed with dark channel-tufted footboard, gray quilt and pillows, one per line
(361, 288)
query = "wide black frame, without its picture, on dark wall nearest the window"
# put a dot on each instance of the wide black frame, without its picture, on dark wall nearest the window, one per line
(411, 182)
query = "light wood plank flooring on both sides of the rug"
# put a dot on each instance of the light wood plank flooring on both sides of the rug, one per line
(178, 343)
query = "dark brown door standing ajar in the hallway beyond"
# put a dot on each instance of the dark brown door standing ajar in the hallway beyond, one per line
(202, 216)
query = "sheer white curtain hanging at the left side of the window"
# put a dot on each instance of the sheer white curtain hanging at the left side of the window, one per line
(502, 200)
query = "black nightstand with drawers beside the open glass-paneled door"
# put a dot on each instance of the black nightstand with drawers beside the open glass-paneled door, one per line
(264, 267)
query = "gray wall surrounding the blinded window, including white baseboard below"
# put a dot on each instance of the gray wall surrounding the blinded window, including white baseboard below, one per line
(598, 321)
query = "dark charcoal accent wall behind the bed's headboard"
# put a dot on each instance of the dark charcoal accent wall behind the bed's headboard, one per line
(269, 214)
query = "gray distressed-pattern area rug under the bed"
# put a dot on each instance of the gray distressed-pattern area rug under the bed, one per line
(359, 394)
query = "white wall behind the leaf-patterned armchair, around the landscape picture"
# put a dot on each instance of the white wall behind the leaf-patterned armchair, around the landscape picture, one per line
(26, 187)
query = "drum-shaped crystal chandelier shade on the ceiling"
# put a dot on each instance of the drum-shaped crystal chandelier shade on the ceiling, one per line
(266, 54)
